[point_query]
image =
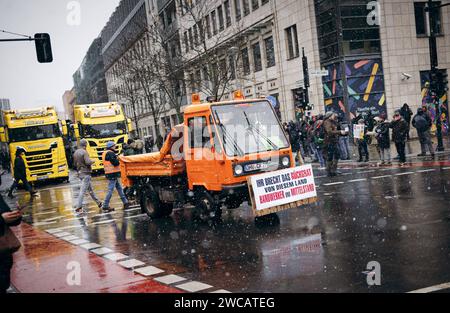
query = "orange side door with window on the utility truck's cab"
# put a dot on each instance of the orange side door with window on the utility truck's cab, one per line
(201, 164)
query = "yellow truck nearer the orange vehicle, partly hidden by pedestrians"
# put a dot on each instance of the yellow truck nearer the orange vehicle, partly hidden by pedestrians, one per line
(99, 123)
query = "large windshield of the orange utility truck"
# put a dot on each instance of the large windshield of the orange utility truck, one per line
(246, 128)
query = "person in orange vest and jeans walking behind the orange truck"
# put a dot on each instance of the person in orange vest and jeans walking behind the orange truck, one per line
(112, 172)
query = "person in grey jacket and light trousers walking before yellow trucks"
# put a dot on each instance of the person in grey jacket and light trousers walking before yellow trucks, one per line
(83, 164)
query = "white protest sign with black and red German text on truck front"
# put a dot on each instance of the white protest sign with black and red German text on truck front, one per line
(279, 190)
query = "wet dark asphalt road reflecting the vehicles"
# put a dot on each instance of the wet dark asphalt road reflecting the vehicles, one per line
(399, 217)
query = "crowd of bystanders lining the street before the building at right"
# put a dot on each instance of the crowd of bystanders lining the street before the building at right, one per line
(326, 138)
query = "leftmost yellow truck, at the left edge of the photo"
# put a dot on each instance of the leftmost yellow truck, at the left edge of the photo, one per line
(40, 133)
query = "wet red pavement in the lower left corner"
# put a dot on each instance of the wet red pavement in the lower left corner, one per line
(43, 265)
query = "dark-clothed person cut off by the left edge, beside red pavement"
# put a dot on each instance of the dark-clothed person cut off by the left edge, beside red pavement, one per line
(8, 243)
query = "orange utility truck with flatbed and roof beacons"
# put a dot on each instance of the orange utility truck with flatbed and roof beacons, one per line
(206, 160)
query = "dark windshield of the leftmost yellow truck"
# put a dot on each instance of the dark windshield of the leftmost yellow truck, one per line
(34, 133)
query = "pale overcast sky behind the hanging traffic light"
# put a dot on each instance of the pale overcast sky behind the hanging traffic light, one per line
(23, 80)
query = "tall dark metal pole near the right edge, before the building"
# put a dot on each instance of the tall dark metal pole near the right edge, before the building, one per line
(434, 69)
